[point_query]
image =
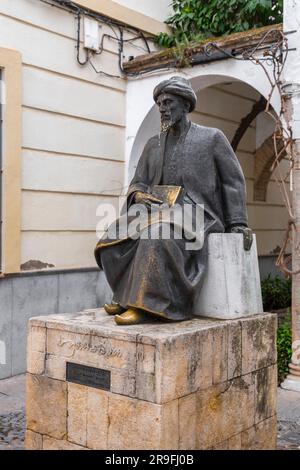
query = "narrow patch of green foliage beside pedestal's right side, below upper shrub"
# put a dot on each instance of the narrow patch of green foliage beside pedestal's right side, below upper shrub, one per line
(284, 349)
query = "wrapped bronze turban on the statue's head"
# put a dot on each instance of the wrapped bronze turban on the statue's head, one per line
(177, 86)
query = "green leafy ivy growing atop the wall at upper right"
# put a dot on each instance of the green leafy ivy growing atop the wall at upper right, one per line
(200, 19)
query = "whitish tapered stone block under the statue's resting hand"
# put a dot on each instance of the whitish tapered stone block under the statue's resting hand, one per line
(231, 288)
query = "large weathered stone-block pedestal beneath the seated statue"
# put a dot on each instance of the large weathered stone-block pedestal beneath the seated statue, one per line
(199, 384)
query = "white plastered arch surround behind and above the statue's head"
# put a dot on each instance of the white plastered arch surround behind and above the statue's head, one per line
(141, 113)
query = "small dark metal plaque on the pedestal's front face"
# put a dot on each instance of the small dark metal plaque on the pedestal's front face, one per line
(86, 375)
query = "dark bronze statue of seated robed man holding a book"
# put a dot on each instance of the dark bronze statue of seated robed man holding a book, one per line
(155, 277)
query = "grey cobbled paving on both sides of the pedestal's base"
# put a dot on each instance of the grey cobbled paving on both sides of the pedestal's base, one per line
(12, 416)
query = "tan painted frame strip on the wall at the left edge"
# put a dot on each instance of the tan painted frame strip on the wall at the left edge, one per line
(10, 197)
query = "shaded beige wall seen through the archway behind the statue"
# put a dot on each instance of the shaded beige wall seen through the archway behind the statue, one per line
(224, 106)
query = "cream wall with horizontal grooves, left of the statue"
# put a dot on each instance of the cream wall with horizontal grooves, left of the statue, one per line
(73, 124)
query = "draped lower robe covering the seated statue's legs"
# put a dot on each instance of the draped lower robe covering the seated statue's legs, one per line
(156, 275)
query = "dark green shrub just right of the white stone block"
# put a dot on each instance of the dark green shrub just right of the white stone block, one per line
(276, 293)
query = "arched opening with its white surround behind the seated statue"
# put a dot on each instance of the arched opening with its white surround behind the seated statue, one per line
(223, 101)
